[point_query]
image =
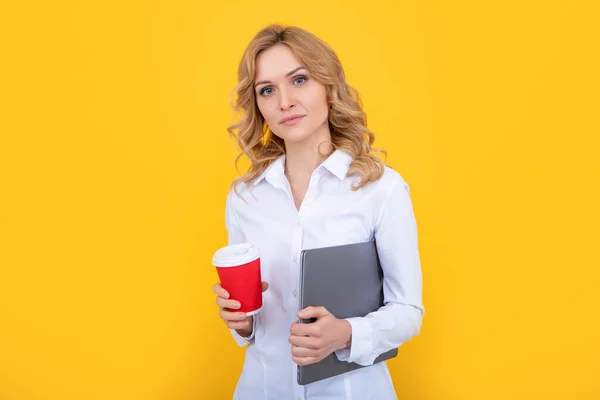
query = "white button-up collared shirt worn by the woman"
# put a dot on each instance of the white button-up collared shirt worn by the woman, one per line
(330, 214)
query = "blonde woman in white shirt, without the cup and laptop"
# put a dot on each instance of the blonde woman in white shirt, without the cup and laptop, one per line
(314, 182)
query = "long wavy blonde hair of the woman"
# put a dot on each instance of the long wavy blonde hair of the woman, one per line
(347, 120)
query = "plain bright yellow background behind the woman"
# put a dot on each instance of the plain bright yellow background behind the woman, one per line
(115, 163)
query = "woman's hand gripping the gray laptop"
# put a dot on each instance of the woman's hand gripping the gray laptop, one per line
(313, 342)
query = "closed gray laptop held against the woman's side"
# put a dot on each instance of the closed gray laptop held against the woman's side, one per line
(348, 281)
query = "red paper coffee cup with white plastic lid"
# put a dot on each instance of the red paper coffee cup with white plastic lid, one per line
(238, 267)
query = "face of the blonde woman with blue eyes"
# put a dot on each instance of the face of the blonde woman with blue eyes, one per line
(292, 103)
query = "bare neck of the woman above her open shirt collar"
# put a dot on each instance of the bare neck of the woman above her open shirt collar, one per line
(302, 158)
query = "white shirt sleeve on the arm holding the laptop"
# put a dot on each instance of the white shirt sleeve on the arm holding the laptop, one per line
(401, 316)
